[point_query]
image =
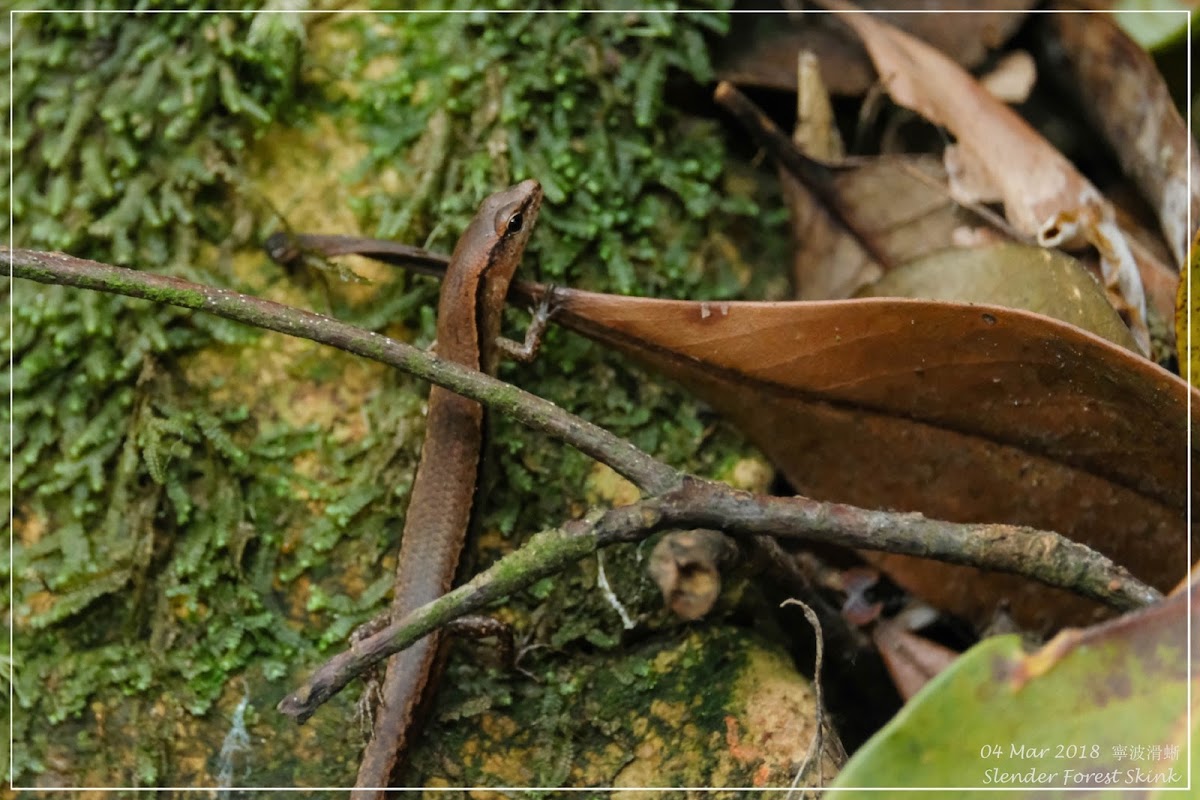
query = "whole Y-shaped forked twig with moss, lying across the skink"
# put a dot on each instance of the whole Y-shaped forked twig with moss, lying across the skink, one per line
(674, 500)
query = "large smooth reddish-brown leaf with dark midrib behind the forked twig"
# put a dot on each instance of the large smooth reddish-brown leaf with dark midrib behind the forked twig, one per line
(965, 413)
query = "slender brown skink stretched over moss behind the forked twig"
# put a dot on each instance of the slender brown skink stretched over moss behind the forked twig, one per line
(470, 312)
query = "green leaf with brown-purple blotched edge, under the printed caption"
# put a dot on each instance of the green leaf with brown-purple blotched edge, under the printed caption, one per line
(1106, 708)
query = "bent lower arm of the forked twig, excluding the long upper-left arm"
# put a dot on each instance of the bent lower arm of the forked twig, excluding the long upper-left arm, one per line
(698, 503)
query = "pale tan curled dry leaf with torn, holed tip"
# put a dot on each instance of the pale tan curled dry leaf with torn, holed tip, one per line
(1045, 196)
